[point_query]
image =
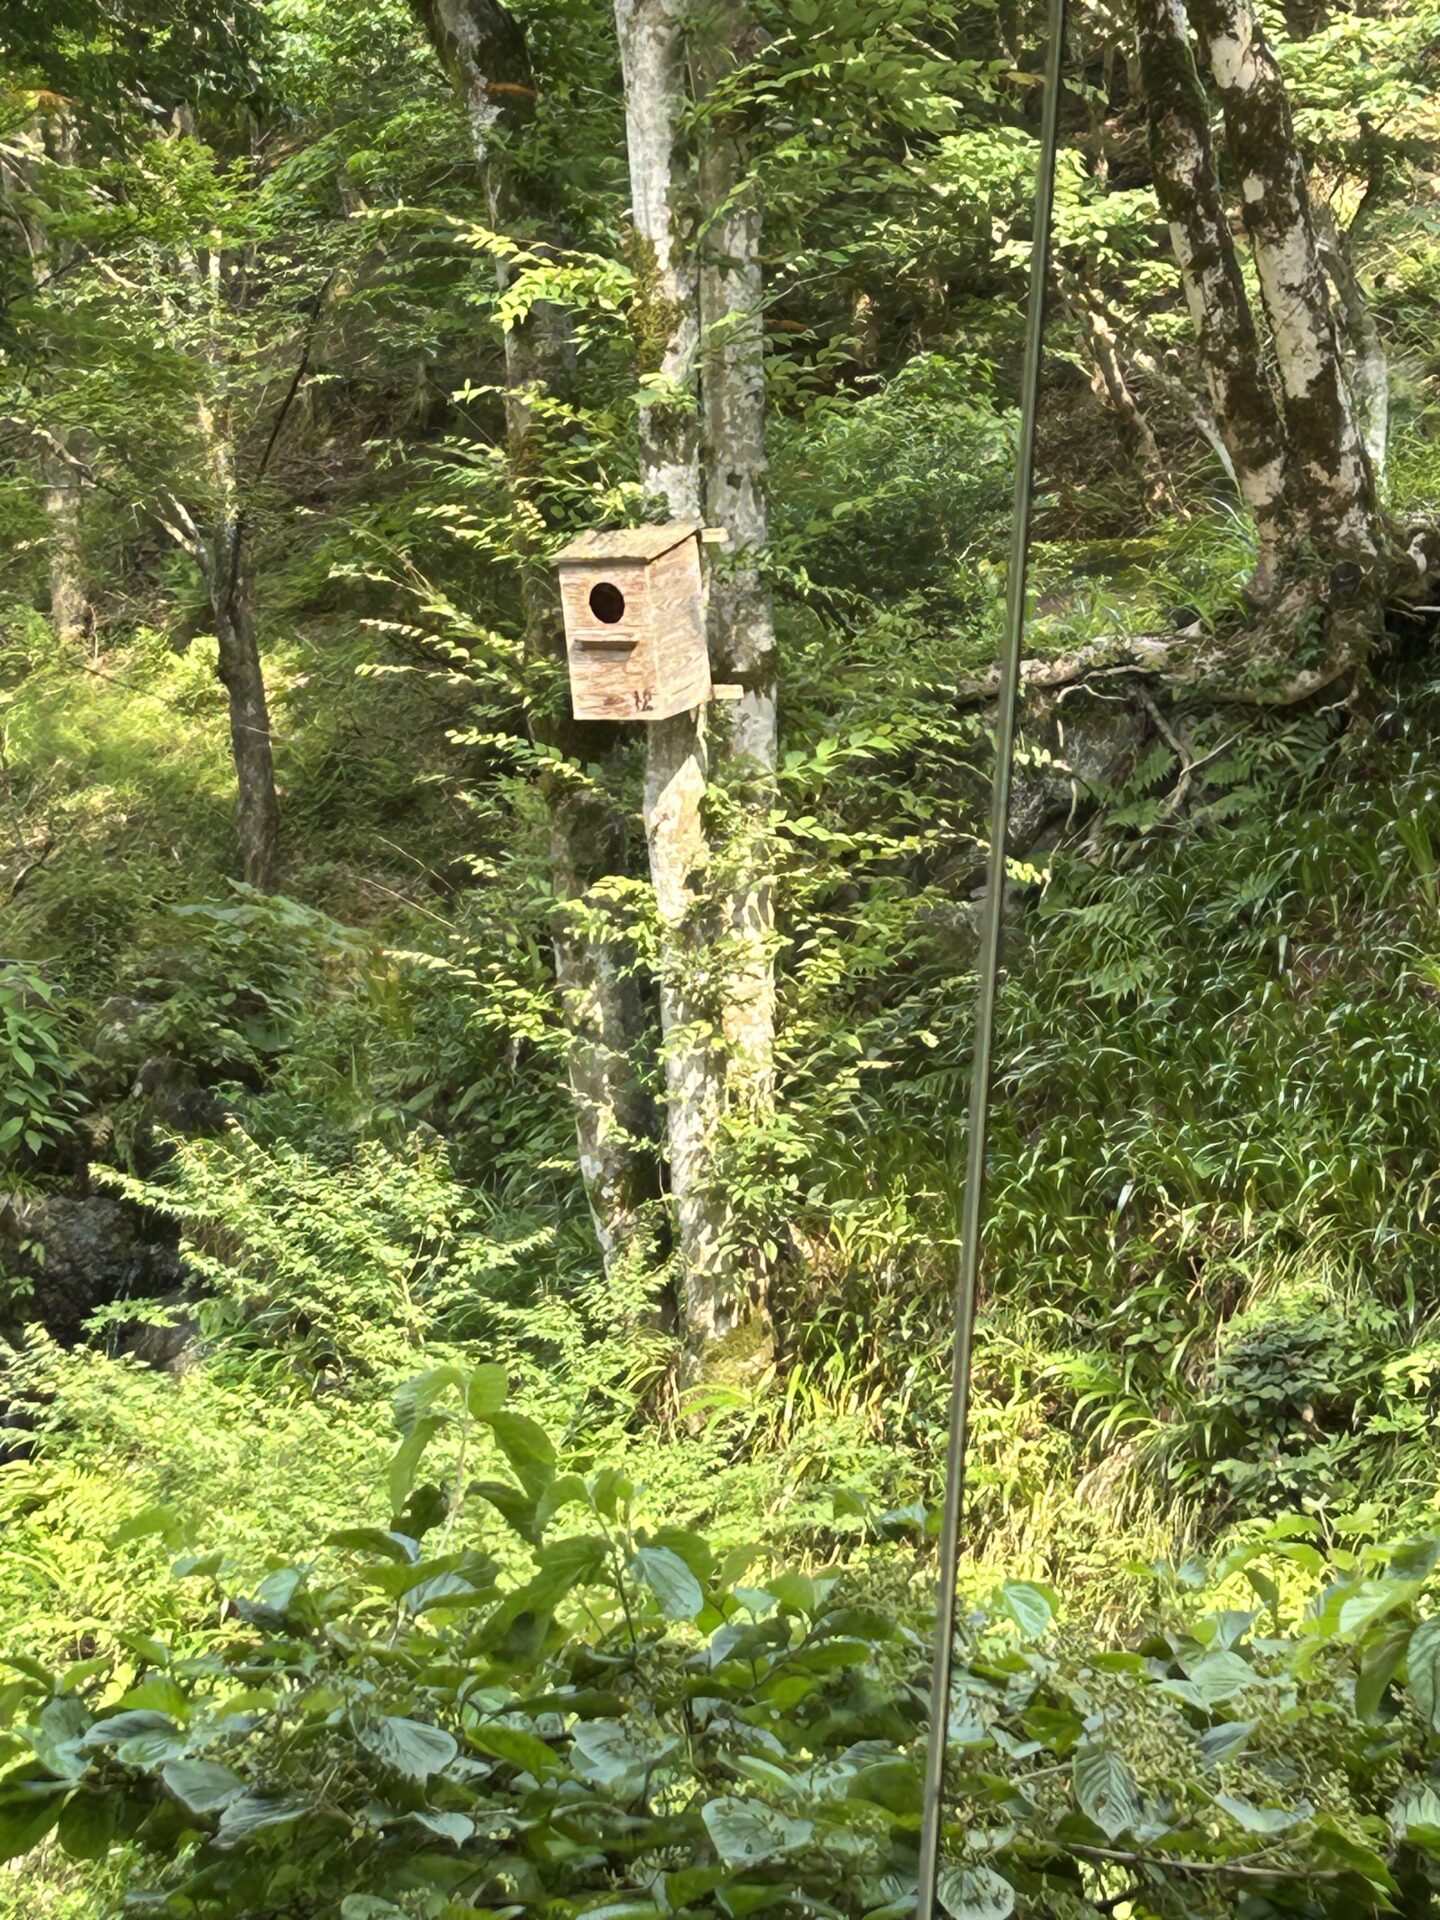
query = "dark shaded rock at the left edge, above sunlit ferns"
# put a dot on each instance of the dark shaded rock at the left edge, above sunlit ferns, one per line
(80, 1253)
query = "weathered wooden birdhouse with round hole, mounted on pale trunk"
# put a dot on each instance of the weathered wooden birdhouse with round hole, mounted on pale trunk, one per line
(635, 623)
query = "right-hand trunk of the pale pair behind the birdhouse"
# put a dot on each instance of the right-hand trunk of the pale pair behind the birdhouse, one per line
(742, 619)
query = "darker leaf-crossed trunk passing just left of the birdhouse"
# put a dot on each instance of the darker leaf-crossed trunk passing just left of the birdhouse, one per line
(485, 57)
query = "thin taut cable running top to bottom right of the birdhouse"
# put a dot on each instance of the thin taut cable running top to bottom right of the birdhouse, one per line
(972, 1212)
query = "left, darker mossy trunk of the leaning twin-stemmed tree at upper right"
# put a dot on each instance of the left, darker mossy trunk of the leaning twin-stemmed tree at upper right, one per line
(1211, 274)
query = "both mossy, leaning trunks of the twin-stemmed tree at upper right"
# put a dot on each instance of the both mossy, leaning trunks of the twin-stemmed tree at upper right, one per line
(1299, 443)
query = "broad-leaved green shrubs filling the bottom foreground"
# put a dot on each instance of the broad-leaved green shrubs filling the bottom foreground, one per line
(621, 1719)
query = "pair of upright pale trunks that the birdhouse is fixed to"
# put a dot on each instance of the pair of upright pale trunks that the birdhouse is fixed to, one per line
(700, 324)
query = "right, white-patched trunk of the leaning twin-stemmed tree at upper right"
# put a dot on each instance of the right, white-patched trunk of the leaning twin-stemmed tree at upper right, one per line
(1330, 481)
